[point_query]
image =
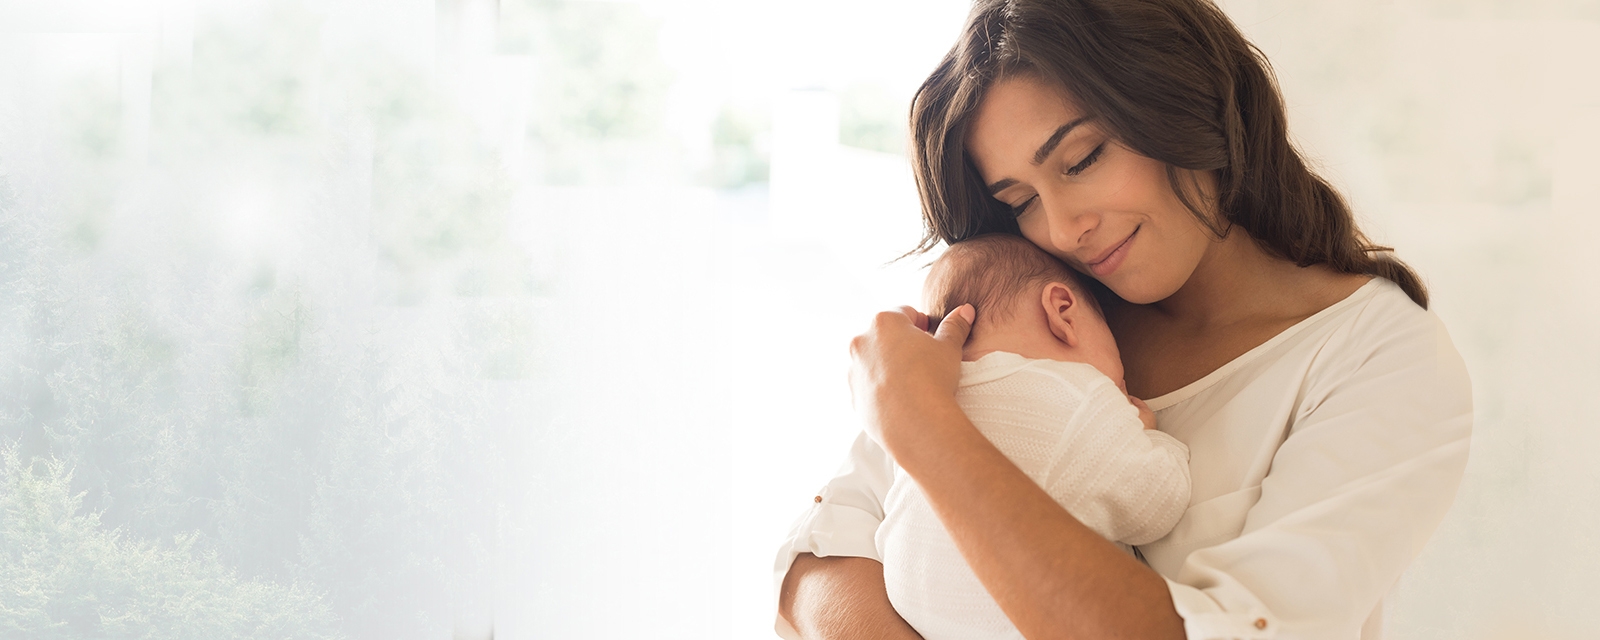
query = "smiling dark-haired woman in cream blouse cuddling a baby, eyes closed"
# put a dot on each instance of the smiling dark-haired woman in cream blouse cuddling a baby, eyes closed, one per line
(1326, 410)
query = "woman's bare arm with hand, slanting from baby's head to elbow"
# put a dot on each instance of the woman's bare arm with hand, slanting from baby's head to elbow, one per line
(1054, 577)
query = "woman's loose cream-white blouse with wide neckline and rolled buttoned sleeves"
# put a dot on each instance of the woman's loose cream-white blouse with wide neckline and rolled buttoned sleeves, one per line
(1321, 465)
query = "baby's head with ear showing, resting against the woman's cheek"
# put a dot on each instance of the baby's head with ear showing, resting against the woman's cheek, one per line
(1028, 303)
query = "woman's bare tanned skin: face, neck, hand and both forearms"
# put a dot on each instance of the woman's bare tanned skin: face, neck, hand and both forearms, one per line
(1193, 305)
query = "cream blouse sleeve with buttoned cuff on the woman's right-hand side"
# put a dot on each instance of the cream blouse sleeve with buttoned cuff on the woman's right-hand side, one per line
(1370, 463)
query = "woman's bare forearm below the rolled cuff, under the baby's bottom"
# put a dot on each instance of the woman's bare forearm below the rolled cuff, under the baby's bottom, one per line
(841, 599)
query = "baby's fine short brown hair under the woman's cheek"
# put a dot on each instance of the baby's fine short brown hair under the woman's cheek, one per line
(991, 271)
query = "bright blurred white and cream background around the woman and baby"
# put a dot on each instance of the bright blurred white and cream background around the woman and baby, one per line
(422, 319)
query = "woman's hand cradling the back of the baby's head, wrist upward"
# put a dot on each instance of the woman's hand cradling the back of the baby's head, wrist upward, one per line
(900, 370)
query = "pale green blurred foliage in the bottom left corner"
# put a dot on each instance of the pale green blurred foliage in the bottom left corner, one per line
(66, 577)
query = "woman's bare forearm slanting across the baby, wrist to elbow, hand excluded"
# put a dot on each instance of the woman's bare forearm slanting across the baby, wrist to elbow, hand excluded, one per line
(1054, 577)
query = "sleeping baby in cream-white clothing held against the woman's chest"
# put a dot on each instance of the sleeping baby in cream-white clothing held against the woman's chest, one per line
(1041, 380)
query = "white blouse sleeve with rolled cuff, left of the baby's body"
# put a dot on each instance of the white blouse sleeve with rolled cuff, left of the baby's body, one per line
(844, 519)
